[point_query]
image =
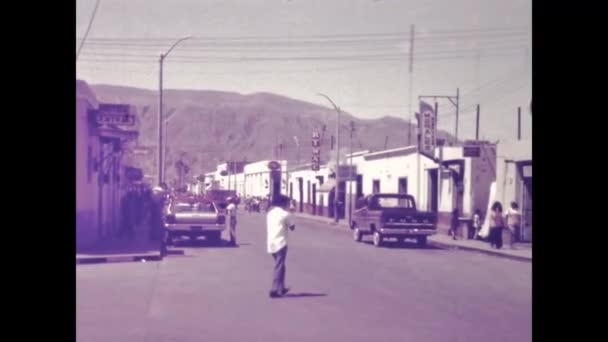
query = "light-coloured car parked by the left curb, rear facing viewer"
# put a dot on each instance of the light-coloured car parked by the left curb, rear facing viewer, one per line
(194, 218)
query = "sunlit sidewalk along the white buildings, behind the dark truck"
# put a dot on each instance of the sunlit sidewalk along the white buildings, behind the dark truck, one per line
(522, 252)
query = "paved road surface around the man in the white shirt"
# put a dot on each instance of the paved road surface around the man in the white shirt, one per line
(343, 291)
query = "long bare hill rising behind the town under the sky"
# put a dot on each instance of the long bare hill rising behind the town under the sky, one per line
(211, 126)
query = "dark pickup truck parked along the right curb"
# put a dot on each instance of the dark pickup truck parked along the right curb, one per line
(392, 216)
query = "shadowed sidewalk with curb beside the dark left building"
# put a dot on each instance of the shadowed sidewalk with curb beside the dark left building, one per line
(113, 249)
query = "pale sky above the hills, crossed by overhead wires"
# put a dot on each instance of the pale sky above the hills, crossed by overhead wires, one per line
(355, 51)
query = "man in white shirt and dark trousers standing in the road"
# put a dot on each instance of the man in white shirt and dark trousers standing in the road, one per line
(278, 220)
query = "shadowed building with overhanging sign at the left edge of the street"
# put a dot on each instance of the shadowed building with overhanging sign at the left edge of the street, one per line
(101, 176)
